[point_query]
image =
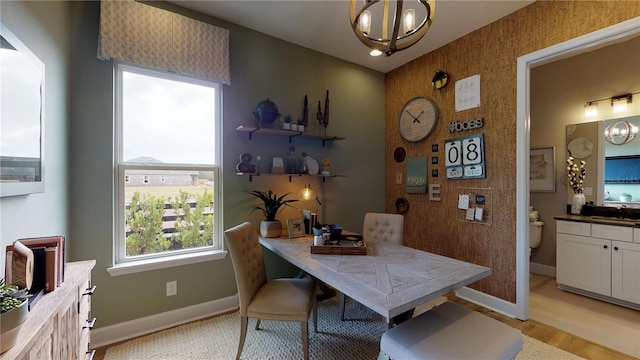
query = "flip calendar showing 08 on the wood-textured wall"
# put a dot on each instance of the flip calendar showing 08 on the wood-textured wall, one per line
(464, 157)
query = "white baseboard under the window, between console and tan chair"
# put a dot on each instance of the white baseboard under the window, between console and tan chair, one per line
(130, 329)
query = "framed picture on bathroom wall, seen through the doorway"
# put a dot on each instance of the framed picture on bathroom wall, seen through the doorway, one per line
(542, 173)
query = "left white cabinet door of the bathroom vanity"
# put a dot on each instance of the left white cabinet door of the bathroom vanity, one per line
(584, 263)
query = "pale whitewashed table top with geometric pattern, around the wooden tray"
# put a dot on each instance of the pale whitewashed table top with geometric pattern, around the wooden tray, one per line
(390, 279)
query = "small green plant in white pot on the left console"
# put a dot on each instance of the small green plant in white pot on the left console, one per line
(13, 313)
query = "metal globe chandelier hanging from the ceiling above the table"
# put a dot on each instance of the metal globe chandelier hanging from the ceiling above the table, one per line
(381, 41)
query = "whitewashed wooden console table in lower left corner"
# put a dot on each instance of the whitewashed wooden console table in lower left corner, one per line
(58, 326)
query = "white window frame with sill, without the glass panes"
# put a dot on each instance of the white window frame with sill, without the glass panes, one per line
(122, 264)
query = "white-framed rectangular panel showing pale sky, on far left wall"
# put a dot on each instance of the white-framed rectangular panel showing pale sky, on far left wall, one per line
(21, 118)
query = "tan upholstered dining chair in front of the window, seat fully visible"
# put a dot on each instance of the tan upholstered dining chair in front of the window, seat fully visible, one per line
(278, 299)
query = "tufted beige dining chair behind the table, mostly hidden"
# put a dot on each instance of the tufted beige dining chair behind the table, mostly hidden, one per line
(379, 227)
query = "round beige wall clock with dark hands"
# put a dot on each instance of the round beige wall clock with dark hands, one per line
(418, 118)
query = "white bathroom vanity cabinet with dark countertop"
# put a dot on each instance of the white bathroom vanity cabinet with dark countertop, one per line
(599, 257)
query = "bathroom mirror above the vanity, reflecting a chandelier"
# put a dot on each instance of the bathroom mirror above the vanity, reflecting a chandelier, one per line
(617, 166)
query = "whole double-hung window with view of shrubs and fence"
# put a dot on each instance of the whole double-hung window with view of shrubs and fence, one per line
(167, 174)
